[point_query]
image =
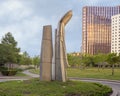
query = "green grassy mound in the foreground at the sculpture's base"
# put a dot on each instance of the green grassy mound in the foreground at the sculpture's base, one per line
(35, 87)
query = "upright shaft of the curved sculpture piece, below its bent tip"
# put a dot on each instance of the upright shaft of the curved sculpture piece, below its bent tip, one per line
(60, 72)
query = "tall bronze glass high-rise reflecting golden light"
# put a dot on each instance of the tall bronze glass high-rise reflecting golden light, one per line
(96, 29)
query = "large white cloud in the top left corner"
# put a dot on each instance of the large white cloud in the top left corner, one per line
(14, 10)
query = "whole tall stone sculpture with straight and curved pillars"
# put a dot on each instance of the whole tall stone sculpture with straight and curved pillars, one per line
(54, 69)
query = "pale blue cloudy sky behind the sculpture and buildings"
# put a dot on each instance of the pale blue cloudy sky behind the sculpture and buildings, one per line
(25, 20)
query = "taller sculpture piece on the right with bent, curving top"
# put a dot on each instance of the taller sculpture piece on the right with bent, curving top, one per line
(61, 61)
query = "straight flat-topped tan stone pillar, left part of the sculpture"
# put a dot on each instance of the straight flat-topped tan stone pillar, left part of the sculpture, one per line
(46, 54)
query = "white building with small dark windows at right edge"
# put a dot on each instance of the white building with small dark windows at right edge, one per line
(115, 36)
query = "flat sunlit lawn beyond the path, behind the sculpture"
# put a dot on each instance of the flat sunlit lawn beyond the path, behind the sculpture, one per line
(90, 73)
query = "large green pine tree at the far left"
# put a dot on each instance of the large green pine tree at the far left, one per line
(9, 50)
